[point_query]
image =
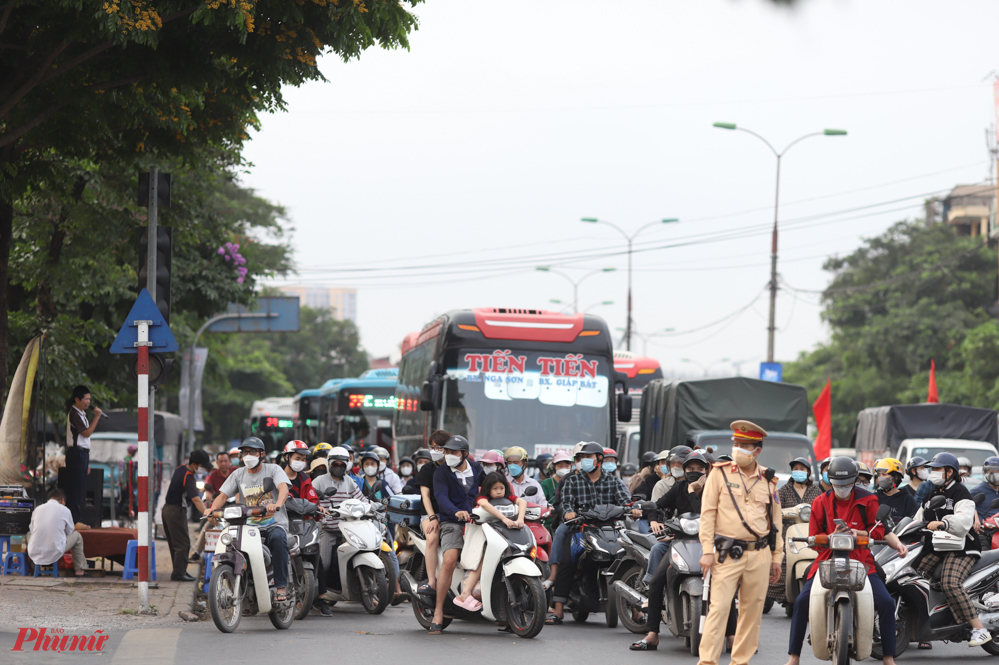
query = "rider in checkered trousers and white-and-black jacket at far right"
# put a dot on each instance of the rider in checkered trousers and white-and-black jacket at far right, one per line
(956, 517)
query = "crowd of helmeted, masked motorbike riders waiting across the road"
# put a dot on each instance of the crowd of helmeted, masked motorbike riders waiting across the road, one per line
(654, 497)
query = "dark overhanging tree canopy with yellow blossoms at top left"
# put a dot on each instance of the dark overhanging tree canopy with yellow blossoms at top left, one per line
(94, 84)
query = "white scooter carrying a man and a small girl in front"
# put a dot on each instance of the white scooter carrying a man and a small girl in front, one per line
(511, 589)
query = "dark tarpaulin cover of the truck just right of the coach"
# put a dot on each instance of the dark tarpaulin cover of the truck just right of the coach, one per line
(670, 409)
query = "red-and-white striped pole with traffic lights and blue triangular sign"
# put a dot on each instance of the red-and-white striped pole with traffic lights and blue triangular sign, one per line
(147, 444)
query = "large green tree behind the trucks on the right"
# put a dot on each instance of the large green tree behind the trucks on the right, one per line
(912, 294)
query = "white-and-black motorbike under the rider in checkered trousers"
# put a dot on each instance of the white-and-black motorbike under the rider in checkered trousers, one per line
(922, 613)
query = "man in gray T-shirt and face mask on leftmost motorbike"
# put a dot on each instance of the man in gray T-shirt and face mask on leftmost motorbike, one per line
(247, 482)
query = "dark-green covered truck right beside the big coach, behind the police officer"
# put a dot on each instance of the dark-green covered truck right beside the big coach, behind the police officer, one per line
(700, 411)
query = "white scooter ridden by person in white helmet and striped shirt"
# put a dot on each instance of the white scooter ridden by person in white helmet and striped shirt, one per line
(362, 573)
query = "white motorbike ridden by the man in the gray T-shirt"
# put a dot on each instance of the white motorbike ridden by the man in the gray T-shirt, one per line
(242, 575)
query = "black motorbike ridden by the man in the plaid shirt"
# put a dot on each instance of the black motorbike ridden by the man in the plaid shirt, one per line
(596, 548)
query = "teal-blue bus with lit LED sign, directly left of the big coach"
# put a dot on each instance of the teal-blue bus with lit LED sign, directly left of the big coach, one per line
(359, 411)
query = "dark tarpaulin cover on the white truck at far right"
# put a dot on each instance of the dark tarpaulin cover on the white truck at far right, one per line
(883, 428)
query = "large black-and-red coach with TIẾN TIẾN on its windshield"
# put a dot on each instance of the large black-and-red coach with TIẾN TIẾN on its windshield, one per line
(509, 377)
